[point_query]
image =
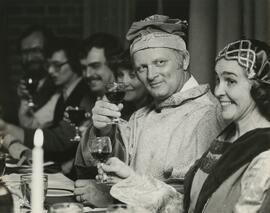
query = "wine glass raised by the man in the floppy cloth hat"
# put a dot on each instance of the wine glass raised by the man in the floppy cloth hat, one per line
(115, 92)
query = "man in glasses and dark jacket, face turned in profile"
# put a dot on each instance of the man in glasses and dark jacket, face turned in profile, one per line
(64, 68)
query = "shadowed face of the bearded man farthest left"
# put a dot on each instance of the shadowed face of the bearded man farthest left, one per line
(32, 55)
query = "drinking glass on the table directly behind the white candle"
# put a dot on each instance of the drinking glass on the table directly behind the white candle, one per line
(25, 184)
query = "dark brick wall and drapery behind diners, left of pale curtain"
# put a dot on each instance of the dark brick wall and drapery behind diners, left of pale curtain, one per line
(78, 18)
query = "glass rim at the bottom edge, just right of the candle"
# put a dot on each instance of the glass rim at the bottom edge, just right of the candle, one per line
(66, 207)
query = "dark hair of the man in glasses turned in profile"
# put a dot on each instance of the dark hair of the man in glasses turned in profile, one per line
(71, 47)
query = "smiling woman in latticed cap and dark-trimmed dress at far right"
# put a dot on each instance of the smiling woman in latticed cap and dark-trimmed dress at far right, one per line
(239, 157)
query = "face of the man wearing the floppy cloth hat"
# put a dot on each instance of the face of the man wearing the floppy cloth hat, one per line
(160, 70)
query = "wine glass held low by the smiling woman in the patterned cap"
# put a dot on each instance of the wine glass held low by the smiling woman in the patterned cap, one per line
(100, 148)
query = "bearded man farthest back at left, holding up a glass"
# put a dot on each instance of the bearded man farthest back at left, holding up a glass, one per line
(33, 45)
